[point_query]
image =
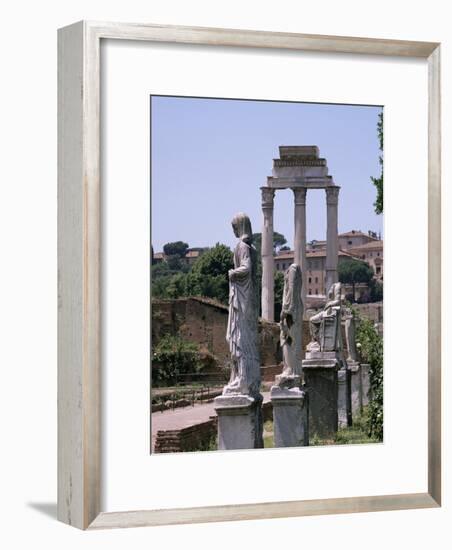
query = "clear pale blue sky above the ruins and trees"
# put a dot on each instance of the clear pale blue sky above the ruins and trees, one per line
(211, 156)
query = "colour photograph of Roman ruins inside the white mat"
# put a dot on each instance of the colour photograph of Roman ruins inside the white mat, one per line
(267, 274)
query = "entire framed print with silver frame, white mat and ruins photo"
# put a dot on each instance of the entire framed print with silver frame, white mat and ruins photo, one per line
(225, 250)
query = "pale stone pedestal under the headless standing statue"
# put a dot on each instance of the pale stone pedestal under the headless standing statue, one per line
(290, 417)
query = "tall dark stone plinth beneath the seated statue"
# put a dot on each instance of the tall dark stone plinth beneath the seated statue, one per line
(321, 380)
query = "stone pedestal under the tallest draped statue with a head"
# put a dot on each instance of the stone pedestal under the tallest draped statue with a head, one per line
(240, 422)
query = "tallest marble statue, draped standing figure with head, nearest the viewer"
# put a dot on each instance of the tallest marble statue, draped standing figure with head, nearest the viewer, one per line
(242, 326)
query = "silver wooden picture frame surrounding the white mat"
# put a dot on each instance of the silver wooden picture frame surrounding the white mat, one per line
(79, 290)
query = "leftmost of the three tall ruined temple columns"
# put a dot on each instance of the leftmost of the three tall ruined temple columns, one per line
(268, 262)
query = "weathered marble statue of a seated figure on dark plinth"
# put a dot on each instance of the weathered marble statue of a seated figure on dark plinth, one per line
(325, 326)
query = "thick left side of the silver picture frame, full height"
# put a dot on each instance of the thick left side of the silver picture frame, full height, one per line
(78, 276)
